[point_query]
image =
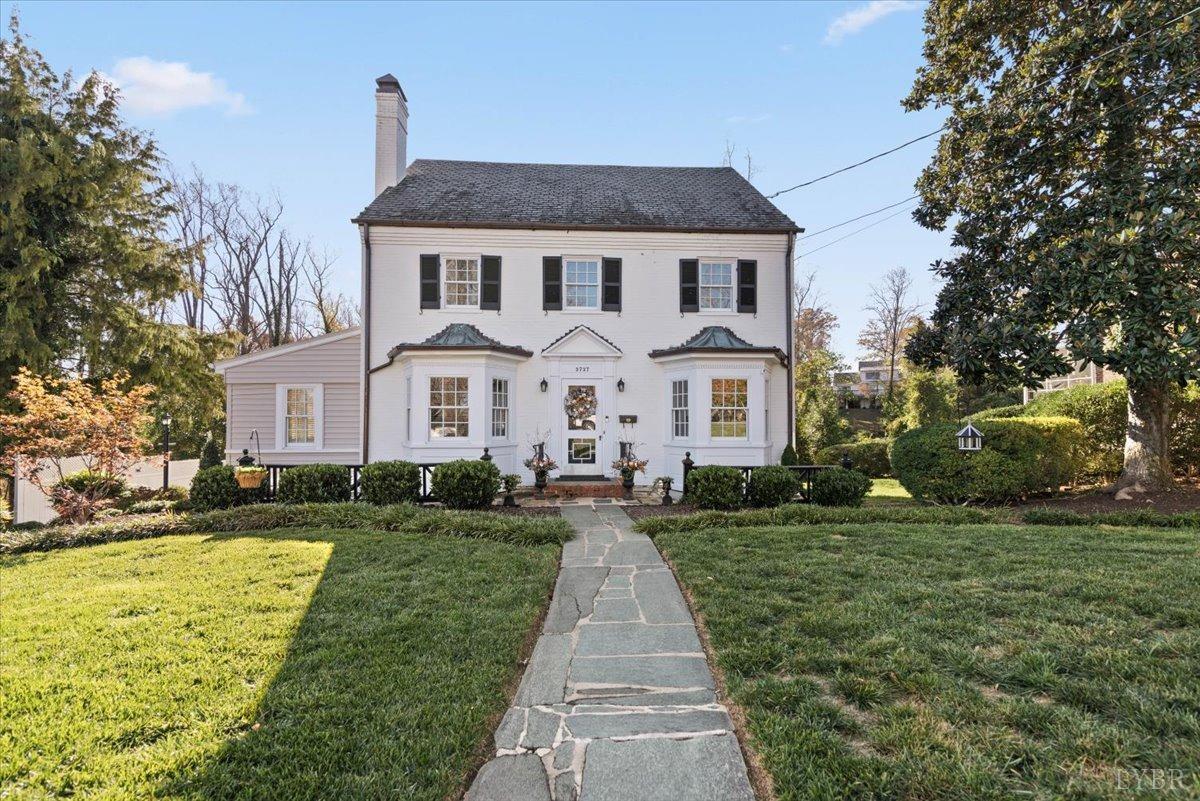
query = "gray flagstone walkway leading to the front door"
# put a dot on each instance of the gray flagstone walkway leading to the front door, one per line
(617, 703)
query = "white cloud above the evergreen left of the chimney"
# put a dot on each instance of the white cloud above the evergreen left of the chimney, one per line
(152, 87)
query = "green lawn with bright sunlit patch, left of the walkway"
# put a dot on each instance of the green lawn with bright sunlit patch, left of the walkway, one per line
(284, 665)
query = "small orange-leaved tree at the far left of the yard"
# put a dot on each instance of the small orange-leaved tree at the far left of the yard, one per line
(68, 419)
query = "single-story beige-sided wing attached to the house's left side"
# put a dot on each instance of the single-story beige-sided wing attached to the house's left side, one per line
(297, 403)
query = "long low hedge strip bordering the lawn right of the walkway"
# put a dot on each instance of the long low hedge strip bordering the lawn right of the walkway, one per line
(808, 515)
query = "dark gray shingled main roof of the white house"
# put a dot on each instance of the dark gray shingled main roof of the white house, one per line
(437, 192)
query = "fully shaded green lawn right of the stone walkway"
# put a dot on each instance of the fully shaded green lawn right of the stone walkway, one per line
(957, 663)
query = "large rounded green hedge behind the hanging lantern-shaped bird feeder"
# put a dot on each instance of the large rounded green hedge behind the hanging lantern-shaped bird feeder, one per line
(1021, 457)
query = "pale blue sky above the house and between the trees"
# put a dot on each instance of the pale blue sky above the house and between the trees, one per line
(280, 99)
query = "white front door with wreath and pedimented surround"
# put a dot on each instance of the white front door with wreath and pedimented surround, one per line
(583, 359)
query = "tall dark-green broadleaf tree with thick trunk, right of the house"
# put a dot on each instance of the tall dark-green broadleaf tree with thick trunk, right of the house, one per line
(1071, 172)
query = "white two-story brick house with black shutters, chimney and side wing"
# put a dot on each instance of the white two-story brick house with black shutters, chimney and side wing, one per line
(655, 299)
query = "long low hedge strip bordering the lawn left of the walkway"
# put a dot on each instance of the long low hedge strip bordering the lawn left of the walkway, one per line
(261, 517)
